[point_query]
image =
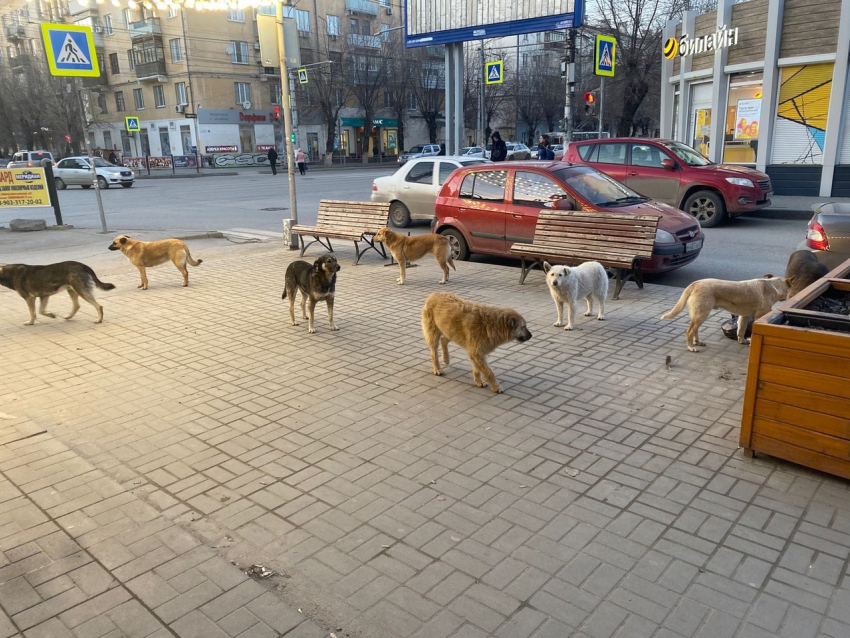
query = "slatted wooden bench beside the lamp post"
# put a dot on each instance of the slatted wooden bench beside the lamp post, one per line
(354, 221)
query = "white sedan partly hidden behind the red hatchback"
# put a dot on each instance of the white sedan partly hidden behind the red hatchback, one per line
(412, 189)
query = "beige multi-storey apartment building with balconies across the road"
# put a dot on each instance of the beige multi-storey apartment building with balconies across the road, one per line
(194, 79)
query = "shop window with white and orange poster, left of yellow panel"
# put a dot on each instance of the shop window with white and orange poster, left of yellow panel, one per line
(743, 115)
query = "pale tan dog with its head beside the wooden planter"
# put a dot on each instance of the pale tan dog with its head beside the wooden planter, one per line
(750, 298)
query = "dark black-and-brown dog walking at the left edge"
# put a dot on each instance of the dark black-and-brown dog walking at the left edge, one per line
(44, 281)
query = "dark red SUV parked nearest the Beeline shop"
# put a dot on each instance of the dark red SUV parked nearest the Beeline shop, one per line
(674, 173)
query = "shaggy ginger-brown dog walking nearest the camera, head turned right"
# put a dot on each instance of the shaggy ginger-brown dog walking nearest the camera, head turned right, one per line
(478, 328)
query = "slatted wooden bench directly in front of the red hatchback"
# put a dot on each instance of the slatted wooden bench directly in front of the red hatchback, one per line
(616, 240)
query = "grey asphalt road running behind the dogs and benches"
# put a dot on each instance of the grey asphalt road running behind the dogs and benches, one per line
(745, 248)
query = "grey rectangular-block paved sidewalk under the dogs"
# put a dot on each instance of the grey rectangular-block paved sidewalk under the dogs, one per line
(601, 495)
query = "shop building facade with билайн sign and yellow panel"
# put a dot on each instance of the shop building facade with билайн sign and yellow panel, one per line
(764, 83)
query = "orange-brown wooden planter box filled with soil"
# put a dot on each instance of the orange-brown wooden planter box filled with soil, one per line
(797, 400)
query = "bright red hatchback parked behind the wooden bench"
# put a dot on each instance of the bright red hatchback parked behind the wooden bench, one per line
(486, 209)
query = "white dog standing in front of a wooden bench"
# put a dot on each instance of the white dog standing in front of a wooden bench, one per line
(569, 284)
